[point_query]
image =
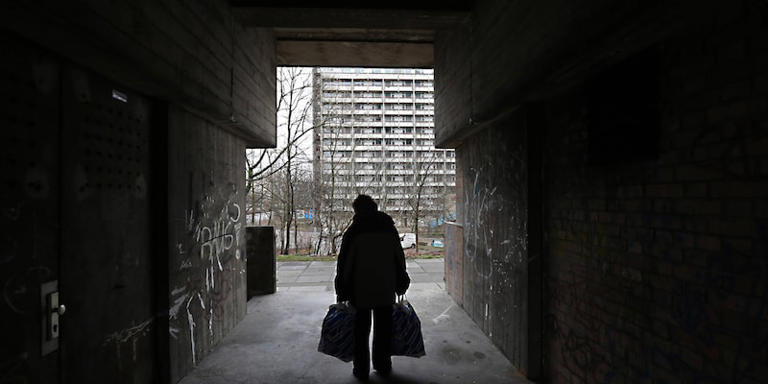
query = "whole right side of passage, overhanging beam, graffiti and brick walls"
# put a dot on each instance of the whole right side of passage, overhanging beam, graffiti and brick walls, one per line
(653, 260)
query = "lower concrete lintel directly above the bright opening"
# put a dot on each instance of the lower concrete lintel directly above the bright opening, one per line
(355, 54)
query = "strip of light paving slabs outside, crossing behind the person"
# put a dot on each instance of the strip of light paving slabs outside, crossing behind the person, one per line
(293, 276)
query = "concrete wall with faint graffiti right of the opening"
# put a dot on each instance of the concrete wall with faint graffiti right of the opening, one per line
(494, 174)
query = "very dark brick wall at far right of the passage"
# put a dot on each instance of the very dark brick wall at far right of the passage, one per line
(657, 269)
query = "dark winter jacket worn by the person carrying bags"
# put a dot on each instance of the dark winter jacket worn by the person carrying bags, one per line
(371, 265)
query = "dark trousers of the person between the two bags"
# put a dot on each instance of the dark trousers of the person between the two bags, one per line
(382, 338)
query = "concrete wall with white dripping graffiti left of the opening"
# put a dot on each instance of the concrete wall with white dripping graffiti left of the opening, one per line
(207, 268)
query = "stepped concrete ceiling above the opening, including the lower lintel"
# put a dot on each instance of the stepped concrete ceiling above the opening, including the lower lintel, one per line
(391, 34)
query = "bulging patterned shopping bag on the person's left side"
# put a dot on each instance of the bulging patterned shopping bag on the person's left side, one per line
(337, 337)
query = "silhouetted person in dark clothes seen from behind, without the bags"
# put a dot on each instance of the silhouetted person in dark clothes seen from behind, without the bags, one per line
(369, 272)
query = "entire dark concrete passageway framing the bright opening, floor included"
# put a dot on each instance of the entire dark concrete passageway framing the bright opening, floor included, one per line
(611, 165)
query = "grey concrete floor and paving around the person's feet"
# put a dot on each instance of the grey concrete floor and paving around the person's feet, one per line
(277, 340)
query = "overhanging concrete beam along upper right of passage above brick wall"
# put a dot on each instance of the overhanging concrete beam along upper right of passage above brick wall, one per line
(520, 52)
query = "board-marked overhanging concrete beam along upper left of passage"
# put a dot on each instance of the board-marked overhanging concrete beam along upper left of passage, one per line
(163, 70)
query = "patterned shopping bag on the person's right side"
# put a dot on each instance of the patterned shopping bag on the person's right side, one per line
(406, 330)
